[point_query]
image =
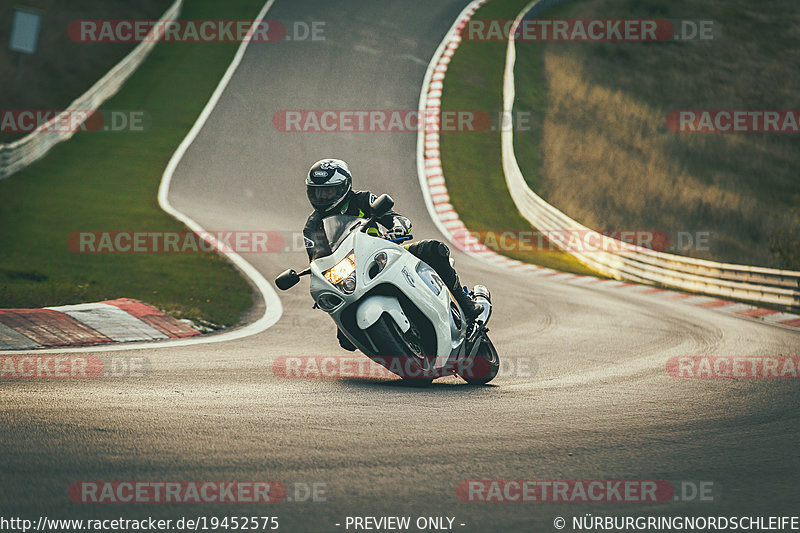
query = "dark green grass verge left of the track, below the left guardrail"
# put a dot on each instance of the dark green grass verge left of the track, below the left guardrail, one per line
(108, 182)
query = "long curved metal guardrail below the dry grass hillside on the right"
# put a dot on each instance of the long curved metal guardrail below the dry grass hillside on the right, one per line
(629, 262)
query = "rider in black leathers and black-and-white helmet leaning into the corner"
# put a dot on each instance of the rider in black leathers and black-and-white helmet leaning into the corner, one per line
(329, 186)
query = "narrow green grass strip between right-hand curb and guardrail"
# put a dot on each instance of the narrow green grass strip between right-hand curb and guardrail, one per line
(472, 160)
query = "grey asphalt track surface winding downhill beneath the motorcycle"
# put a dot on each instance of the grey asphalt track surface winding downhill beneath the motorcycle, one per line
(600, 405)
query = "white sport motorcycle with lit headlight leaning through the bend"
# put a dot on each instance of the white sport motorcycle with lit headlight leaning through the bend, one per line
(395, 308)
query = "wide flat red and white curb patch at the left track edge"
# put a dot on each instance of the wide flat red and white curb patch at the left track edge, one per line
(92, 324)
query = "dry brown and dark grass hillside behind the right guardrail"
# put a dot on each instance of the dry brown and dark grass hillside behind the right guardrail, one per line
(608, 159)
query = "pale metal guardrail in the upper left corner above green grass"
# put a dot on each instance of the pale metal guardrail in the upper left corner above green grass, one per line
(19, 154)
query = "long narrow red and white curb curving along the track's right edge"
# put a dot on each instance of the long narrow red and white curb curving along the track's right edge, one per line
(437, 200)
